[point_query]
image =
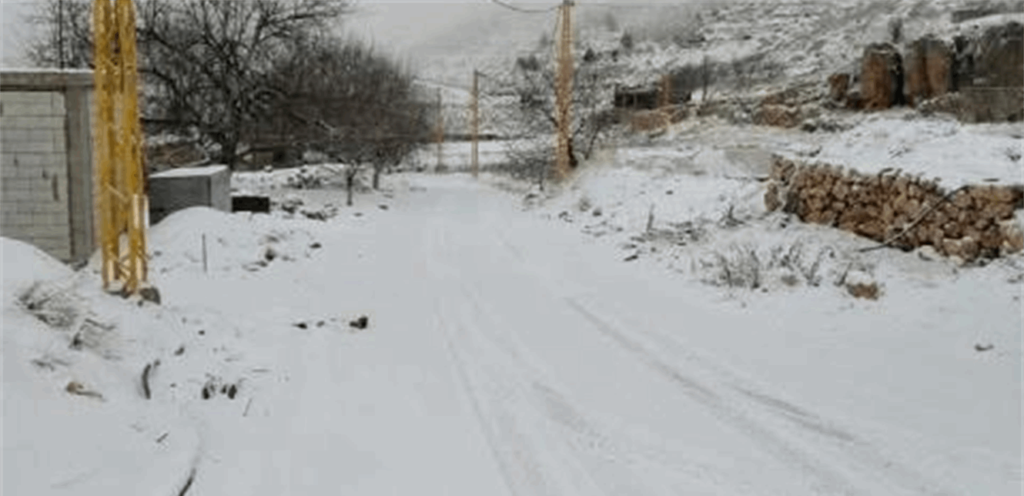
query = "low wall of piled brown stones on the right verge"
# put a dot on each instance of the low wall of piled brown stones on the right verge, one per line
(906, 212)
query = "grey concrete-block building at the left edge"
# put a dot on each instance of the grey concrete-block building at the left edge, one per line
(47, 186)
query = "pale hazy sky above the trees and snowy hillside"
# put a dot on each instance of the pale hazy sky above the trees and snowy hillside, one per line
(407, 28)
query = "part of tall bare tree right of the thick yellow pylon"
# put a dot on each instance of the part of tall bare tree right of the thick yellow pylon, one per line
(208, 59)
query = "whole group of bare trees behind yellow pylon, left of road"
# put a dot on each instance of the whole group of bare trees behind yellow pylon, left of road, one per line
(248, 75)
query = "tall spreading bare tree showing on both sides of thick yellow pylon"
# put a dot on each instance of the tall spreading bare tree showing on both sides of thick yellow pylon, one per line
(204, 61)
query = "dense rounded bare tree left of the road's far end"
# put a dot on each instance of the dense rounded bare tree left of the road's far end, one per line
(343, 99)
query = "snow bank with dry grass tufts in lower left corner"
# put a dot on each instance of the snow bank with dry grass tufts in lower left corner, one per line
(75, 421)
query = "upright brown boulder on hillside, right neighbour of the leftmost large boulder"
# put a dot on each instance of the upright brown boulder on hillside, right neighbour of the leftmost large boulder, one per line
(929, 70)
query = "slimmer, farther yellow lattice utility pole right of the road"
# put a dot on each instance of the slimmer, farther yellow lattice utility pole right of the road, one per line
(564, 92)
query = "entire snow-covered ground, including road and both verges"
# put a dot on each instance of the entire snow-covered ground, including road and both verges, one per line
(546, 346)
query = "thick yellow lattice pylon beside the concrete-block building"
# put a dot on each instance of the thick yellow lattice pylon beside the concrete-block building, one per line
(120, 194)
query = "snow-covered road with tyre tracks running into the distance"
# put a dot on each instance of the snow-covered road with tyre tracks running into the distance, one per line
(507, 356)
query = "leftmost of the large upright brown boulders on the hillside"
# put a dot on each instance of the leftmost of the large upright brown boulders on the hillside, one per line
(882, 77)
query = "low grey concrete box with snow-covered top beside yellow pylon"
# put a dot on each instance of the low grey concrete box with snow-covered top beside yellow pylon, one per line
(194, 187)
